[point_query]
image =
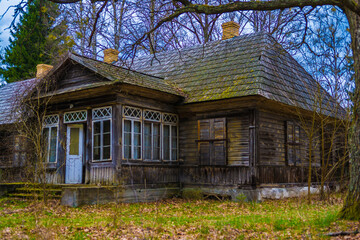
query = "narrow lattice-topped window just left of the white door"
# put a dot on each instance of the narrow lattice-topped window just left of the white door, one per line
(50, 137)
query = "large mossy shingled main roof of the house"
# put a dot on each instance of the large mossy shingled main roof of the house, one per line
(253, 64)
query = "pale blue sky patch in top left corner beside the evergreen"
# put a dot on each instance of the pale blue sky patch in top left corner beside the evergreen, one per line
(6, 20)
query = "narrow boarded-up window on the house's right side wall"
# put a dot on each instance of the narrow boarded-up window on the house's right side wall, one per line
(293, 143)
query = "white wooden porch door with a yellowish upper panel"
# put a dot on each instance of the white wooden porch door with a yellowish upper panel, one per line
(74, 154)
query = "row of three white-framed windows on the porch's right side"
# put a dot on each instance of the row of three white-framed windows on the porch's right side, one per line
(149, 135)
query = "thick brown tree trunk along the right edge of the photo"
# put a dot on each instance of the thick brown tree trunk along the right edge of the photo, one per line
(351, 208)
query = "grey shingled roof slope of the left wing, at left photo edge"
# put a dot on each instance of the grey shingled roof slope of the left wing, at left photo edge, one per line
(10, 97)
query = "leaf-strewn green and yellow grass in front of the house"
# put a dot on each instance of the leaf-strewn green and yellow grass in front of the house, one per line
(173, 219)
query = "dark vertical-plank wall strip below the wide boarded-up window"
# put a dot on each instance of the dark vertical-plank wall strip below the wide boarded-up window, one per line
(217, 176)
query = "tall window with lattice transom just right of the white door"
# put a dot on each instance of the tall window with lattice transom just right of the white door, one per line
(102, 133)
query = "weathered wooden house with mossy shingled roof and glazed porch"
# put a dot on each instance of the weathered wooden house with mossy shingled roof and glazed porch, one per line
(222, 117)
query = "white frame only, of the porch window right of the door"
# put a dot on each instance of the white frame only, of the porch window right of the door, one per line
(101, 120)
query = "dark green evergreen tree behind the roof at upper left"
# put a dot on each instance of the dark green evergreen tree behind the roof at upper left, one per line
(37, 38)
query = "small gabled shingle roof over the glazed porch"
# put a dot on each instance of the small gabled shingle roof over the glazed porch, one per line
(116, 74)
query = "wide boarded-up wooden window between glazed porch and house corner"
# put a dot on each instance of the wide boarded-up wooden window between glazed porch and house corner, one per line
(212, 141)
